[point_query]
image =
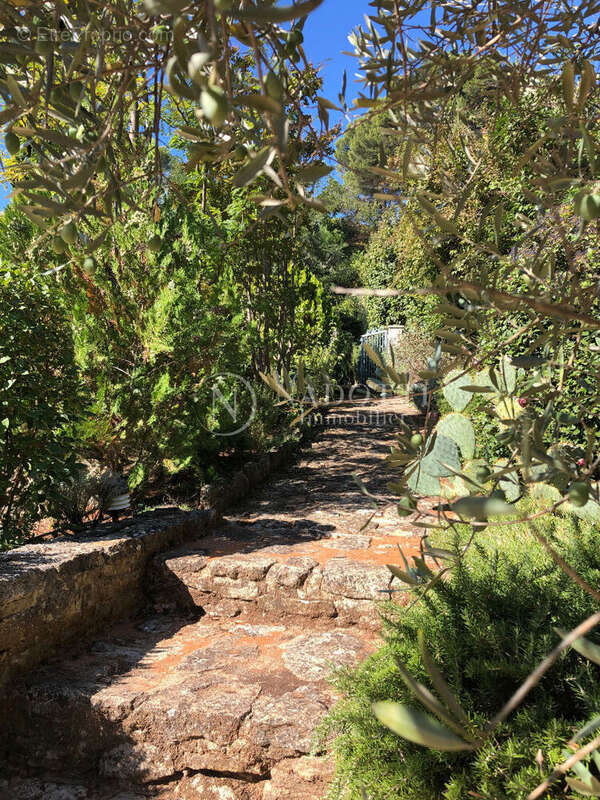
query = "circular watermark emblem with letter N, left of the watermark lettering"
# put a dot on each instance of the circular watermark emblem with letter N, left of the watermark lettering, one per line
(230, 401)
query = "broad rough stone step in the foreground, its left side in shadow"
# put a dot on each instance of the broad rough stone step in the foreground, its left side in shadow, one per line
(165, 699)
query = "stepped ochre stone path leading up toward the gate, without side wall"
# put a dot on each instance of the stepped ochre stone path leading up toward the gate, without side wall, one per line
(216, 693)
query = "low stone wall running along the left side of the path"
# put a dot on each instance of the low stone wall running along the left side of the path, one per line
(53, 592)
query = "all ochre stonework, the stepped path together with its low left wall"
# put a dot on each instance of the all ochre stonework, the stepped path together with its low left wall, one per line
(212, 685)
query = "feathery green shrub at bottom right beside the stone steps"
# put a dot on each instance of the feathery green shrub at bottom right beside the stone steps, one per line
(487, 628)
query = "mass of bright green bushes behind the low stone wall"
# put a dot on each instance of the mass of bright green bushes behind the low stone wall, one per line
(142, 330)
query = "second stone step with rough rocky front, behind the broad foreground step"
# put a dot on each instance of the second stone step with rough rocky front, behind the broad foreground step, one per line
(293, 571)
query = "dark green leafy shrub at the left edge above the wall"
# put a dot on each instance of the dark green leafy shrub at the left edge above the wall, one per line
(39, 400)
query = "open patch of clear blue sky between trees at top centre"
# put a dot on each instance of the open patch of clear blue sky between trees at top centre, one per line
(325, 36)
